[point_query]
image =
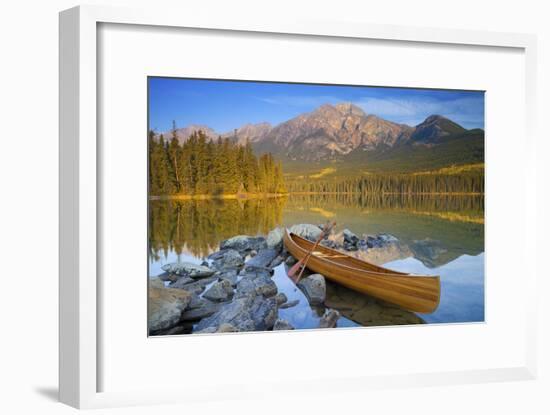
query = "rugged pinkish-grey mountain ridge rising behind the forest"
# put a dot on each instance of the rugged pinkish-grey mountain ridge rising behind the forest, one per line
(345, 132)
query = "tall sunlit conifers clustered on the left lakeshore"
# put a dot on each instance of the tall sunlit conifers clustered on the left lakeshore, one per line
(201, 166)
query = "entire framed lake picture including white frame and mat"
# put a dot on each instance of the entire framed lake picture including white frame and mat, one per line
(226, 186)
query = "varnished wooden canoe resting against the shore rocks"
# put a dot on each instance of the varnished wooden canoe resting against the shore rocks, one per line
(418, 293)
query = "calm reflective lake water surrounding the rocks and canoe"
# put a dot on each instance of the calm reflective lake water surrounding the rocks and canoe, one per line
(439, 235)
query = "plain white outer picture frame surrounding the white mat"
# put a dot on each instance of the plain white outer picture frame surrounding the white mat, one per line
(79, 313)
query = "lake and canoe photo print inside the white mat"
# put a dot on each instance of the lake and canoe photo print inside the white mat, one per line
(265, 226)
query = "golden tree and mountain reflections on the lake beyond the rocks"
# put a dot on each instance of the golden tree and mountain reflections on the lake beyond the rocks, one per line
(434, 229)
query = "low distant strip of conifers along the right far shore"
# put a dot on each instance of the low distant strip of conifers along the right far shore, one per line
(467, 182)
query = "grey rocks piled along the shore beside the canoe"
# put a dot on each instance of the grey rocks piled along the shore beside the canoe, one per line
(233, 290)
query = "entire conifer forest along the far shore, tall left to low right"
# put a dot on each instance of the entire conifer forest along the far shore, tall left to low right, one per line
(214, 168)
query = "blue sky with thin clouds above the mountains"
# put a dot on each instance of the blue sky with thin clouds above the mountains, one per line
(225, 105)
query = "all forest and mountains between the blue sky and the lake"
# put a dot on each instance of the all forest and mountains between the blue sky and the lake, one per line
(334, 149)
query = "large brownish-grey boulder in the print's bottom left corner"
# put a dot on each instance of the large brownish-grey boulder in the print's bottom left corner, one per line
(165, 307)
